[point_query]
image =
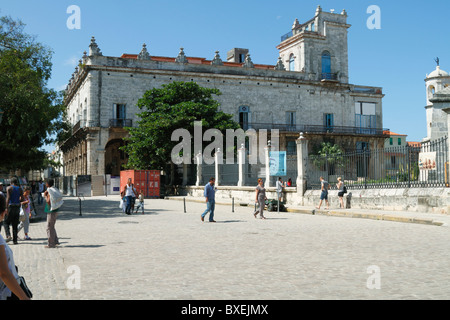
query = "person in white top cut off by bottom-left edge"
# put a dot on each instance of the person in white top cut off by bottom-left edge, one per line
(8, 274)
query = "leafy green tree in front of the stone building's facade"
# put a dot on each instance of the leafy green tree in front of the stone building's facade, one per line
(174, 106)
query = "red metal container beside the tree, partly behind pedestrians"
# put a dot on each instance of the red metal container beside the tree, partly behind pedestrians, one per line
(145, 181)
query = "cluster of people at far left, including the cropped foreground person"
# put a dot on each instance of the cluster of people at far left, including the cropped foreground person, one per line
(16, 203)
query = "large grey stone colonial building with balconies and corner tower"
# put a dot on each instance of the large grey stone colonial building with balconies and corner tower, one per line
(307, 90)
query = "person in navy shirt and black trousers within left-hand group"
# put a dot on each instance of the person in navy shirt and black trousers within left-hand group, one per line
(13, 199)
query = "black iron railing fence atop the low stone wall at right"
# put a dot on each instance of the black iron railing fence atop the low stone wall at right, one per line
(391, 167)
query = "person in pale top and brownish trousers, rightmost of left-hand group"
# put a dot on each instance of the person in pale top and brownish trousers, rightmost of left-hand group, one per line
(53, 201)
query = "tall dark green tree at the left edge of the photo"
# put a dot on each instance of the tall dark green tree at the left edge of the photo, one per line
(32, 112)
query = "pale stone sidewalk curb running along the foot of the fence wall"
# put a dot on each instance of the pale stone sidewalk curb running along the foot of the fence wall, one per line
(337, 213)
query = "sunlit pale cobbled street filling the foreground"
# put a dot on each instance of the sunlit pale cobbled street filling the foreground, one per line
(169, 254)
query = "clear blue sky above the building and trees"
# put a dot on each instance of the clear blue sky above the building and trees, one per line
(397, 57)
